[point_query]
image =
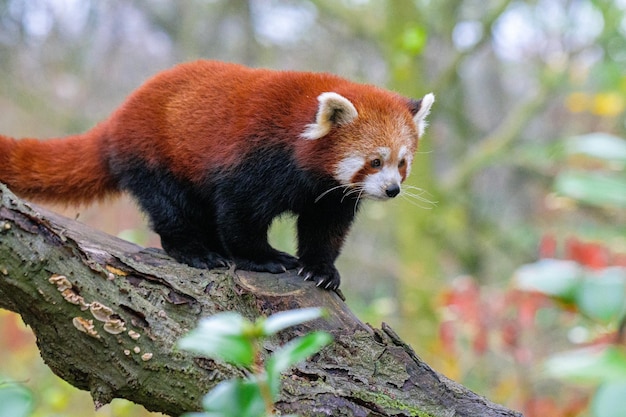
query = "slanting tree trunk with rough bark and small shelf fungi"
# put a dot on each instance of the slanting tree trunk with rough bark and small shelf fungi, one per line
(63, 277)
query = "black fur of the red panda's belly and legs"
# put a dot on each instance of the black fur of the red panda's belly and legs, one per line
(227, 216)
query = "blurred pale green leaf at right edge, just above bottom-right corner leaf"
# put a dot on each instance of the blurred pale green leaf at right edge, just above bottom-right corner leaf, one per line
(589, 365)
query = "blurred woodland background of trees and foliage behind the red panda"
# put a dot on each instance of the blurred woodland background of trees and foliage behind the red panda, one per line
(523, 162)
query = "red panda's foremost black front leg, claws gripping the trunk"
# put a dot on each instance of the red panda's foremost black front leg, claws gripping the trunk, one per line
(321, 233)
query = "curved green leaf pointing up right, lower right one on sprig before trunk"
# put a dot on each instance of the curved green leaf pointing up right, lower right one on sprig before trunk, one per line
(293, 352)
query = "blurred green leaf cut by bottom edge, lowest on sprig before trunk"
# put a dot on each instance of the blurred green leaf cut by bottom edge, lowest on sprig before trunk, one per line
(234, 398)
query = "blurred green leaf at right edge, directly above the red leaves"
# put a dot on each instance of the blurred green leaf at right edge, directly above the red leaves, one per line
(601, 189)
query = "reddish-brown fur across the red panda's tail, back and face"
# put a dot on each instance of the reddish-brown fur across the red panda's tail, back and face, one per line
(195, 116)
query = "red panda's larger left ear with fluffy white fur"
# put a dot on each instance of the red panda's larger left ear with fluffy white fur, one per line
(333, 110)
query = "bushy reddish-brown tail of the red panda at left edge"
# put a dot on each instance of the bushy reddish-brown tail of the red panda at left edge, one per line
(69, 170)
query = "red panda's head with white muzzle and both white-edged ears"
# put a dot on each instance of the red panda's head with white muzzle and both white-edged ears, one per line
(371, 148)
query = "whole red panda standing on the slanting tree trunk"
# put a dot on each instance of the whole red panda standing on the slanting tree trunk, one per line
(213, 152)
